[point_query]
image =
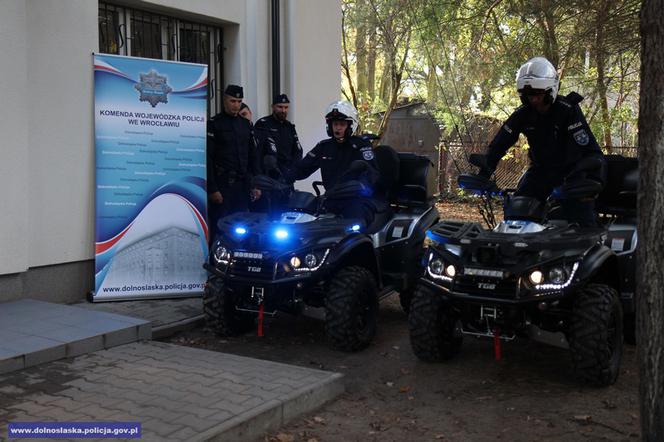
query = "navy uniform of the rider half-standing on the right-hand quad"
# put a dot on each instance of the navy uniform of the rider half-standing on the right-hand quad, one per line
(557, 141)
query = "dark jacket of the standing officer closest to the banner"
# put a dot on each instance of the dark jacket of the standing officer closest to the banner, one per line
(232, 155)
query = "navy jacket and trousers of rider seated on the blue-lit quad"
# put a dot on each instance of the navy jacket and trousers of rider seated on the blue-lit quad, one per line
(334, 160)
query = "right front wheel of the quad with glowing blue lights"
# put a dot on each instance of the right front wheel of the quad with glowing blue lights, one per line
(351, 309)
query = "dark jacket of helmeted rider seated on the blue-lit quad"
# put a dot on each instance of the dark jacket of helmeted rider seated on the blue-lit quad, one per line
(334, 160)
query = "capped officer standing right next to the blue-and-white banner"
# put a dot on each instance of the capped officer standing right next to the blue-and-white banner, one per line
(232, 159)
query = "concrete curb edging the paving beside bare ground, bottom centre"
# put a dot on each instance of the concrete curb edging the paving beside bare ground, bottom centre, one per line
(275, 413)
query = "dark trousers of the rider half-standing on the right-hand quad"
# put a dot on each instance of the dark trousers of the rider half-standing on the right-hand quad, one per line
(538, 183)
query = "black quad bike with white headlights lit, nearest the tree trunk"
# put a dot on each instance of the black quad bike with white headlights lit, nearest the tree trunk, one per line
(535, 276)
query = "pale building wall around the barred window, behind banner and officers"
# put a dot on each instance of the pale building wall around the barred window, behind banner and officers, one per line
(46, 81)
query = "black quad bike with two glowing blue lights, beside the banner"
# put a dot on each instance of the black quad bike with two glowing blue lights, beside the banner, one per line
(306, 260)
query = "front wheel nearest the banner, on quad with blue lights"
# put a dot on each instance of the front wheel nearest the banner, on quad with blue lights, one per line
(220, 312)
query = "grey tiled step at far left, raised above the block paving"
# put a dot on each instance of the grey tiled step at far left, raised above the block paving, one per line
(34, 332)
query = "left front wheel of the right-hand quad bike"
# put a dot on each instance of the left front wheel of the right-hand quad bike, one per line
(432, 324)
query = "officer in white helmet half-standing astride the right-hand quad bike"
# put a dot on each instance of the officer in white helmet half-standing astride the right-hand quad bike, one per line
(558, 138)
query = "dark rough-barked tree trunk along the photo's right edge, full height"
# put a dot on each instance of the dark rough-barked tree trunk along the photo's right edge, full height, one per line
(650, 252)
